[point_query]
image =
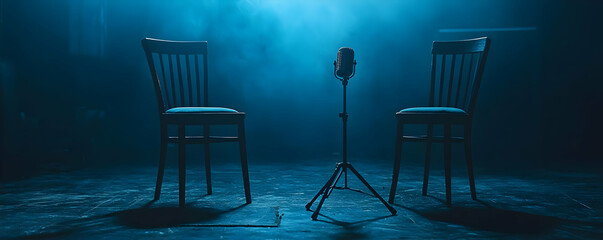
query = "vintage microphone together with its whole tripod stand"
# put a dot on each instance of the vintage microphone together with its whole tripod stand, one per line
(345, 68)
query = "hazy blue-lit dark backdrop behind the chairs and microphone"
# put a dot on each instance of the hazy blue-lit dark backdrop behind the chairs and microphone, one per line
(76, 90)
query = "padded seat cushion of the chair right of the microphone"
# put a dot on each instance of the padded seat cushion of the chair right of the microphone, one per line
(433, 115)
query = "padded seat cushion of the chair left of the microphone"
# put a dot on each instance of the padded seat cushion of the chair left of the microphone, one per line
(203, 115)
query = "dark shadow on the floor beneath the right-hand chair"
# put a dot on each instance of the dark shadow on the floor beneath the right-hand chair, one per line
(488, 218)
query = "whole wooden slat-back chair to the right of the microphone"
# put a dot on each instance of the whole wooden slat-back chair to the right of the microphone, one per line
(456, 72)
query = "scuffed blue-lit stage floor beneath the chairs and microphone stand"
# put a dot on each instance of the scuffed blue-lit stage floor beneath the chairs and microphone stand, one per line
(115, 203)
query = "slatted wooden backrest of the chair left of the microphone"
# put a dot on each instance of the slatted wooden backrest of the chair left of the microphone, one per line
(177, 69)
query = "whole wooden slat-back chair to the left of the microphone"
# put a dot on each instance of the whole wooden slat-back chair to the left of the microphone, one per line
(179, 71)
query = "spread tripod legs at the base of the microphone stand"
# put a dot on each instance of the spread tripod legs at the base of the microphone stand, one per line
(326, 190)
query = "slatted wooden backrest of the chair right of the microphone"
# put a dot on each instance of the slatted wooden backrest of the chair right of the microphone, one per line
(456, 72)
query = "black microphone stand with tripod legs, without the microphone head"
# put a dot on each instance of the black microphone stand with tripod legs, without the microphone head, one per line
(342, 167)
